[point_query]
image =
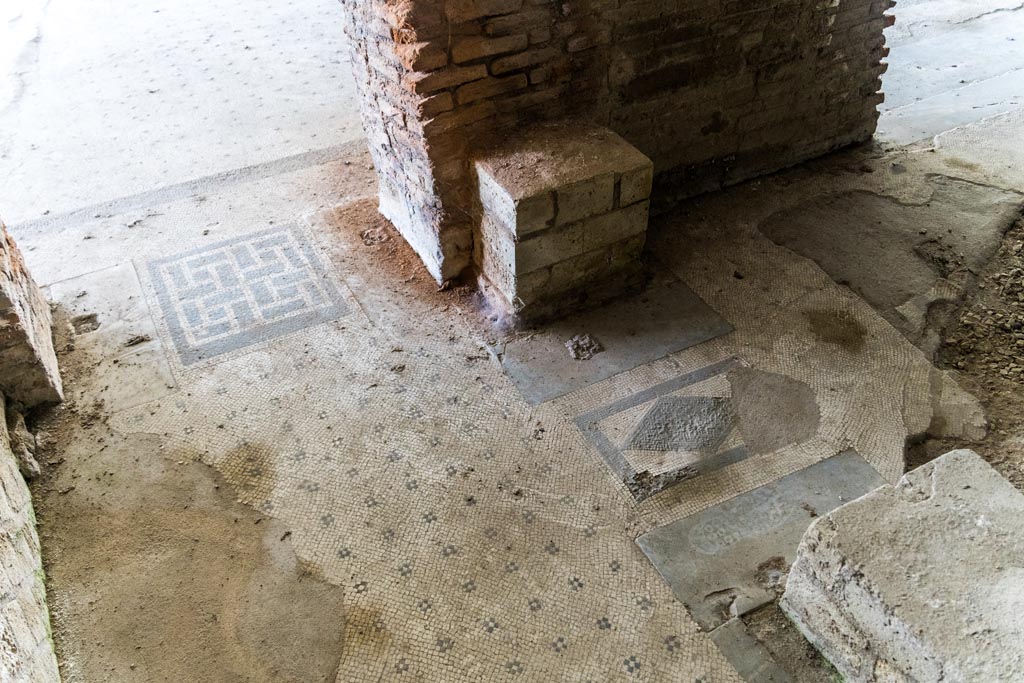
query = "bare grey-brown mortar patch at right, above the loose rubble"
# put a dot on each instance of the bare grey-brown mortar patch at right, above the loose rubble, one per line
(913, 261)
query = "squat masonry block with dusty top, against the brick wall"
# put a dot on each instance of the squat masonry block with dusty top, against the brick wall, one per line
(549, 223)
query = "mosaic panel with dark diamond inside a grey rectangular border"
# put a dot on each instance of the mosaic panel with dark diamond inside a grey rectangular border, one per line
(701, 430)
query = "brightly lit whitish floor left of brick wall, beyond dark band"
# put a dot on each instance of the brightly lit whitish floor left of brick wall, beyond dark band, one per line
(156, 95)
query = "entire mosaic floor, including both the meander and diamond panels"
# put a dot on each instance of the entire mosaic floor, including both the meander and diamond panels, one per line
(479, 536)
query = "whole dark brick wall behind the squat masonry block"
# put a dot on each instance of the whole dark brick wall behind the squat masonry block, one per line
(714, 92)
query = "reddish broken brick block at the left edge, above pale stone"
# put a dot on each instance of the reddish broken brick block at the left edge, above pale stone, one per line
(28, 364)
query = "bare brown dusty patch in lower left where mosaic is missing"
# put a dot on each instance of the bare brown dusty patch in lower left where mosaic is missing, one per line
(159, 575)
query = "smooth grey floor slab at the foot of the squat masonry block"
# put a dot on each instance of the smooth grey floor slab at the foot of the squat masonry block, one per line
(634, 331)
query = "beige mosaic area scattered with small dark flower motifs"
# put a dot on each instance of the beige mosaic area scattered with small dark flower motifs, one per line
(430, 491)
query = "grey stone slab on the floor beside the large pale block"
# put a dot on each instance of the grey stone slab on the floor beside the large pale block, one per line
(730, 560)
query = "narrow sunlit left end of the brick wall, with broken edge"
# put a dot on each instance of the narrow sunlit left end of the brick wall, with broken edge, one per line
(400, 55)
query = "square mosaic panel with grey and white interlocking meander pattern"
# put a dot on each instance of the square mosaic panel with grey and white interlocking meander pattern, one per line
(244, 291)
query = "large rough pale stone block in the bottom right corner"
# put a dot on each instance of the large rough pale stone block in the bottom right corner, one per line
(922, 581)
